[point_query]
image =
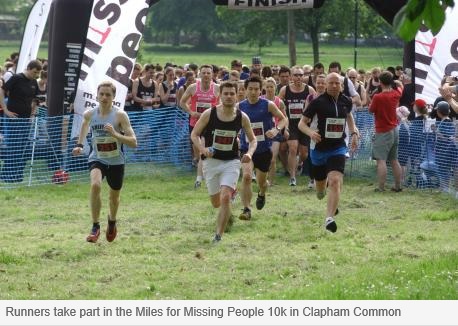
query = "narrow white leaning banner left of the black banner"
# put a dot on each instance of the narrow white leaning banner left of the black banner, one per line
(33, 33)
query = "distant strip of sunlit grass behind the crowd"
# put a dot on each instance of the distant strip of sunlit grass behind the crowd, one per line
(368, 57)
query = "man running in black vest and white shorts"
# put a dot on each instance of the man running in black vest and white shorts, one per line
(221, 165)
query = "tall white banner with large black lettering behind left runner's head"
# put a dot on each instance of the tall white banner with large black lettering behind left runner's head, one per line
(112, 42)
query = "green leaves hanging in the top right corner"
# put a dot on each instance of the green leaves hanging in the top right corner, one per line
(431, 13)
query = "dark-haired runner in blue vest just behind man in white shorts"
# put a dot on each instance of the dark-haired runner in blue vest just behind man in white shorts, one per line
(261, 113)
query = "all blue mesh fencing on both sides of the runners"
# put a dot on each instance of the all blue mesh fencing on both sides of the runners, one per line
(38, 150)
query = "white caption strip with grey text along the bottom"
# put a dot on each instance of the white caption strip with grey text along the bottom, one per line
(229, 312)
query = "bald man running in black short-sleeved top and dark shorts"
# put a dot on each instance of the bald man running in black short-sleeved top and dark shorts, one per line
(328, 114)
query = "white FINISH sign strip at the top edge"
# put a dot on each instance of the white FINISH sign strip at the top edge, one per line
(269, 4)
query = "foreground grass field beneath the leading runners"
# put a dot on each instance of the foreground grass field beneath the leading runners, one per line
(388, 246)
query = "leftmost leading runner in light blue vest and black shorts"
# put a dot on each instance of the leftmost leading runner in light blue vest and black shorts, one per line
(110, 128)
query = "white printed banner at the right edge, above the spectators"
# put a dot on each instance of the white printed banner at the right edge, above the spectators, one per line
(436, 56)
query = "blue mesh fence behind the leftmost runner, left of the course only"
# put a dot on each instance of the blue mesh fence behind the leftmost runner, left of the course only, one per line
(39, 150)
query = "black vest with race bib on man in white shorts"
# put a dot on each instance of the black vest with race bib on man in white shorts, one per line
(222, 136)
